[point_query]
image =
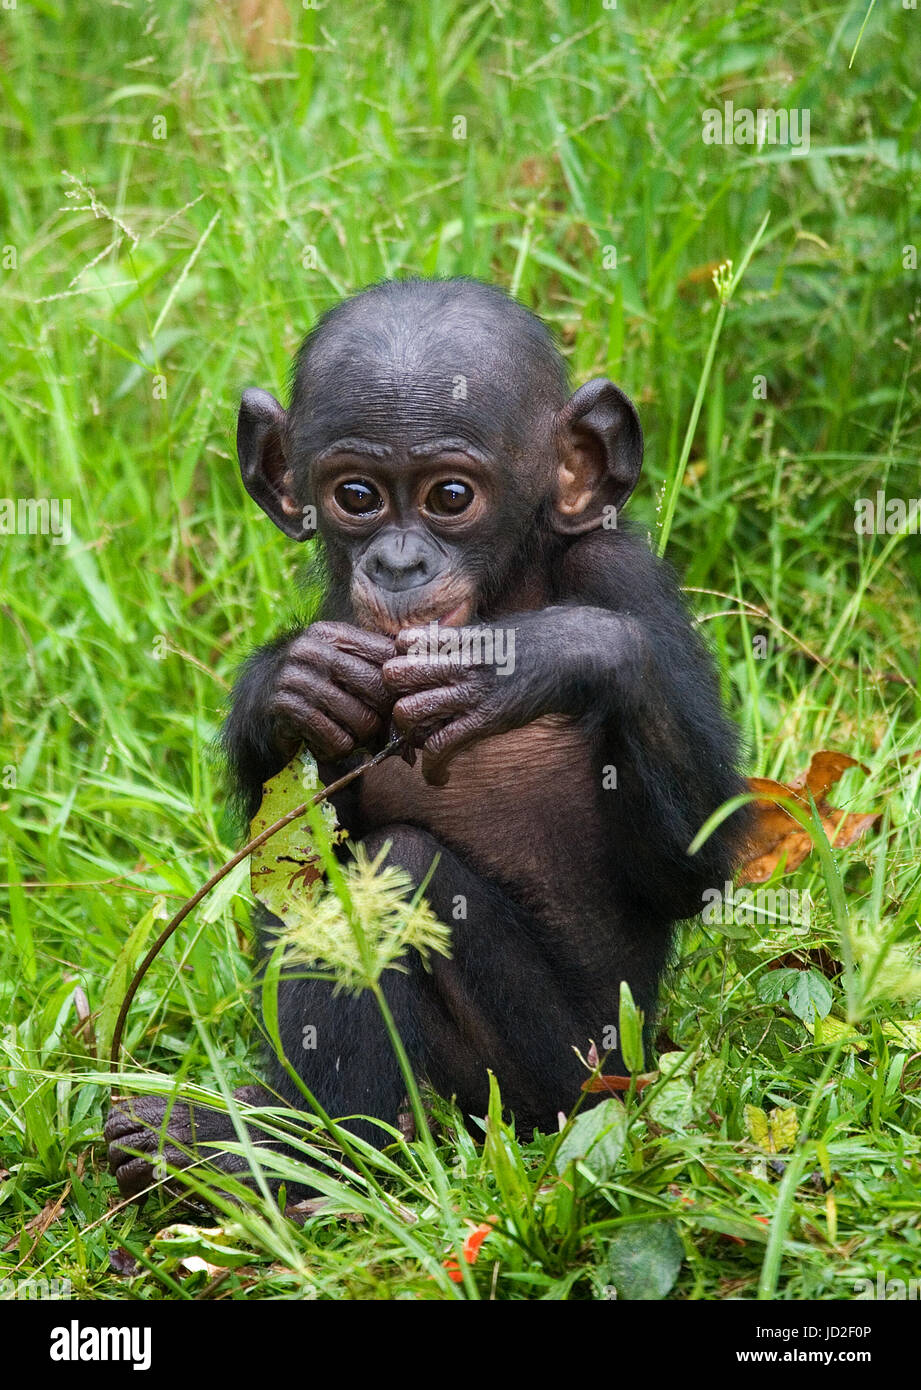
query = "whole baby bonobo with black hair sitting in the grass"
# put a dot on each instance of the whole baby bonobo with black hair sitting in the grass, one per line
(569, 755)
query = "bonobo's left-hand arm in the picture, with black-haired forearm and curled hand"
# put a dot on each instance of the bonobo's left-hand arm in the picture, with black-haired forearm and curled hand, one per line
(320, 686)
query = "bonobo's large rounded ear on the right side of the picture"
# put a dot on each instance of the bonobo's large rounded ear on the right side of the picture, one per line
(601, 445)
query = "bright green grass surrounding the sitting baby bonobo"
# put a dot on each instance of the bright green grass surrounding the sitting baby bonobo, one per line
(147, 281)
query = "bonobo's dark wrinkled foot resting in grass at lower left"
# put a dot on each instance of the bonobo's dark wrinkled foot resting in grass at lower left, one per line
(137, 1124)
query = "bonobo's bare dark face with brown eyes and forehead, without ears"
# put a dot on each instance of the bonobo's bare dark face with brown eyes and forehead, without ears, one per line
(413, 475)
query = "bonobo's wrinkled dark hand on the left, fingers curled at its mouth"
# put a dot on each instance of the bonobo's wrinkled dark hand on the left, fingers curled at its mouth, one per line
(330, 692)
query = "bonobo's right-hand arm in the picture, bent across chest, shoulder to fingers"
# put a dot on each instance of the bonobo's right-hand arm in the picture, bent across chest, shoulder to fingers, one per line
(617, 654)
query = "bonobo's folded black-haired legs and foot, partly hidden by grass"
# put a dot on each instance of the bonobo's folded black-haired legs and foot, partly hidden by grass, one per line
(501, 1003)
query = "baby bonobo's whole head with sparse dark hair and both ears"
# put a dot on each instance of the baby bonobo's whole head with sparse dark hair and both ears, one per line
(433, 441)
